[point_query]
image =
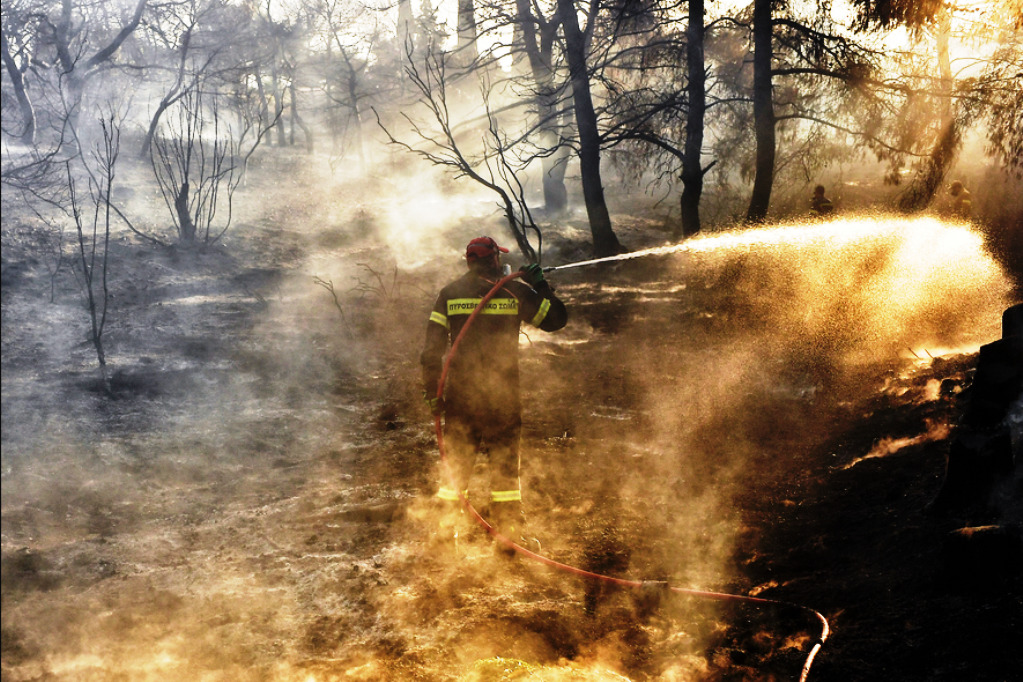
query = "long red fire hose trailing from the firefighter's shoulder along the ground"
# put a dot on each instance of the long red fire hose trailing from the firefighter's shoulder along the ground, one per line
(620, 582)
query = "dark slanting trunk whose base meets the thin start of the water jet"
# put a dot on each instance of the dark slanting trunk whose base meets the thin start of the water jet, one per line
(605, 241)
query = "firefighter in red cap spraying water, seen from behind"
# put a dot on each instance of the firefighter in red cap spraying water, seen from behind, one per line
(481, 403)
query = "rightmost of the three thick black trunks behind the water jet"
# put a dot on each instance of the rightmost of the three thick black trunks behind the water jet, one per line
(764, 112)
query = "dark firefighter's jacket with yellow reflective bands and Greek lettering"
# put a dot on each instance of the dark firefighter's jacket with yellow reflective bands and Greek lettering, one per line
(484, 375)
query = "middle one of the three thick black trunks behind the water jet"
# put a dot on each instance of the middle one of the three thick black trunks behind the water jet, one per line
(693, 172)
